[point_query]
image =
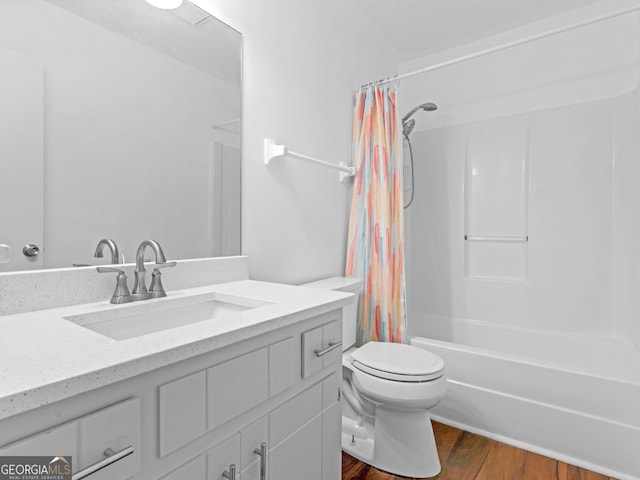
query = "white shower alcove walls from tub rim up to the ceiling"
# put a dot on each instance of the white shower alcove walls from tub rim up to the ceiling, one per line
(562, 115)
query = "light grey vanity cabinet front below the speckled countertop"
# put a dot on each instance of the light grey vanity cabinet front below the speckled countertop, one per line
(250, 407)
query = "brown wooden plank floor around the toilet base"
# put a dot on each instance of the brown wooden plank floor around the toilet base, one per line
(466, 456)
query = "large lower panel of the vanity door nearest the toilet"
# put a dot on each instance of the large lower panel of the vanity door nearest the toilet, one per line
(299, 456)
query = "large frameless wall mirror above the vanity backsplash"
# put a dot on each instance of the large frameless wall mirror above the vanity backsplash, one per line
(117, 120)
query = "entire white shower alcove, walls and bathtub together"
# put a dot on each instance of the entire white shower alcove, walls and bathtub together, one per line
(522, 239)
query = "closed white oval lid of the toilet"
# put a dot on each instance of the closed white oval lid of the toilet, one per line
(397, 361)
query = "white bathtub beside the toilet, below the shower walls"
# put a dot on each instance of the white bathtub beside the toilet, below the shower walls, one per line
(573, 398)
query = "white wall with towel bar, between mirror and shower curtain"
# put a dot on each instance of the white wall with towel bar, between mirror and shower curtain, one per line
(302, 63)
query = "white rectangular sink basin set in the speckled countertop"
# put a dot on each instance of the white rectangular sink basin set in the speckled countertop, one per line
(138, 319)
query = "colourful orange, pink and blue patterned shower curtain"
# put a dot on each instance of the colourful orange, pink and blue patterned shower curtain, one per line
(375, 249)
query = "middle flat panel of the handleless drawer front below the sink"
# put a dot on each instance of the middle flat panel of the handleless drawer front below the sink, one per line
(236, 386)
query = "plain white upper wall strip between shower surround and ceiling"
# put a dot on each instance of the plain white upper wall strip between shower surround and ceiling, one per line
(590, 63)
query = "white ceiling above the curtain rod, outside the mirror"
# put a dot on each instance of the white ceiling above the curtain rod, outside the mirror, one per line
(415, 28)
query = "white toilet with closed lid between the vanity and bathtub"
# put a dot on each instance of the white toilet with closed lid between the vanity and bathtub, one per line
(387, 391)
